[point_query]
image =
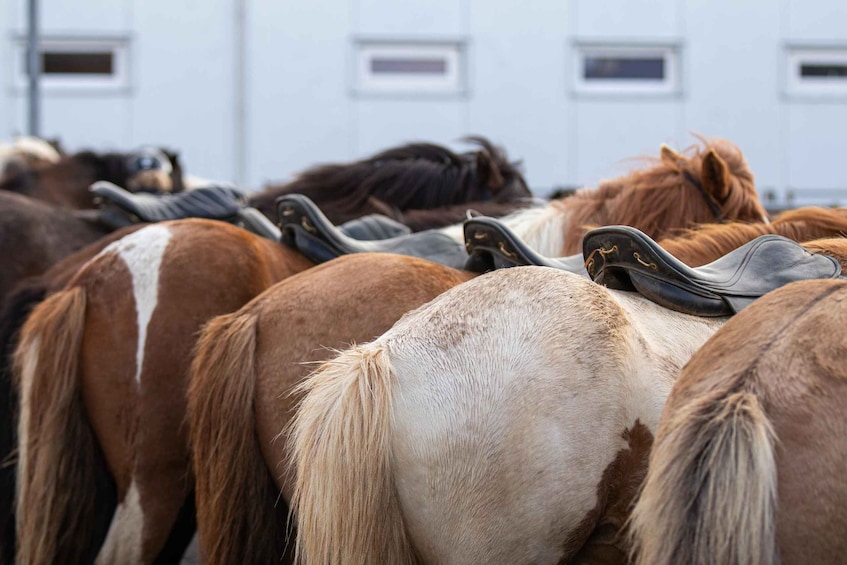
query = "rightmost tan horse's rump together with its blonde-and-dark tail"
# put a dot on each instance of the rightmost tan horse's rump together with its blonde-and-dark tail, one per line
(749, 452)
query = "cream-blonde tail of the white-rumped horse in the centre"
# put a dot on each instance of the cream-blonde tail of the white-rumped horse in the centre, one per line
(345, 500)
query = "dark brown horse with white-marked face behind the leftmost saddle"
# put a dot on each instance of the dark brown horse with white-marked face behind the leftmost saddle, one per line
(65, 182)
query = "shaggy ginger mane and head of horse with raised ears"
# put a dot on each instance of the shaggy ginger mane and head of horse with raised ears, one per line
(660, 195)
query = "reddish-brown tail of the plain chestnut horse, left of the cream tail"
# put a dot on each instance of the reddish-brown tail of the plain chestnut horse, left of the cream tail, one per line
(237, 517)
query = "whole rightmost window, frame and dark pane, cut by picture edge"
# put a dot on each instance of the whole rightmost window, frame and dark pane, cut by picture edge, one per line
(817, 72)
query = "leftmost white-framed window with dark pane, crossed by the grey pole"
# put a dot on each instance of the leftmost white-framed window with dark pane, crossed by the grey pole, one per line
(76, 63)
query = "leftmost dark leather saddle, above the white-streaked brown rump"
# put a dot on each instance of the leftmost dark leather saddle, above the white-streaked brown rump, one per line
(124, 207)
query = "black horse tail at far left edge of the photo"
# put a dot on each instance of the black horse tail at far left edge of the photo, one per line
(15, 310)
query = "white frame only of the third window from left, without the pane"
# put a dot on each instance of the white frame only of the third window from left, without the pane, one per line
(668, 52)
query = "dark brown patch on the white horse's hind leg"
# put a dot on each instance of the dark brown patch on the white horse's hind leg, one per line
(598, 538)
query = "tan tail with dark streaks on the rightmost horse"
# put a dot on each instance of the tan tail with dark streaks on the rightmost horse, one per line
(710, 492)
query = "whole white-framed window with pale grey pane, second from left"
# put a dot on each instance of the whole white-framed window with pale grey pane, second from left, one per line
(409, 68)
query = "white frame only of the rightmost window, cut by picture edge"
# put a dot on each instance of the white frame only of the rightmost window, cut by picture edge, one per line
(797, 86)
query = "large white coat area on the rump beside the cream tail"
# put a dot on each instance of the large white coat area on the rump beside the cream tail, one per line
(512, 394)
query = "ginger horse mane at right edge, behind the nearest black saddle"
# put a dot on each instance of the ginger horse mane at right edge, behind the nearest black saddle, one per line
(706, 242)
